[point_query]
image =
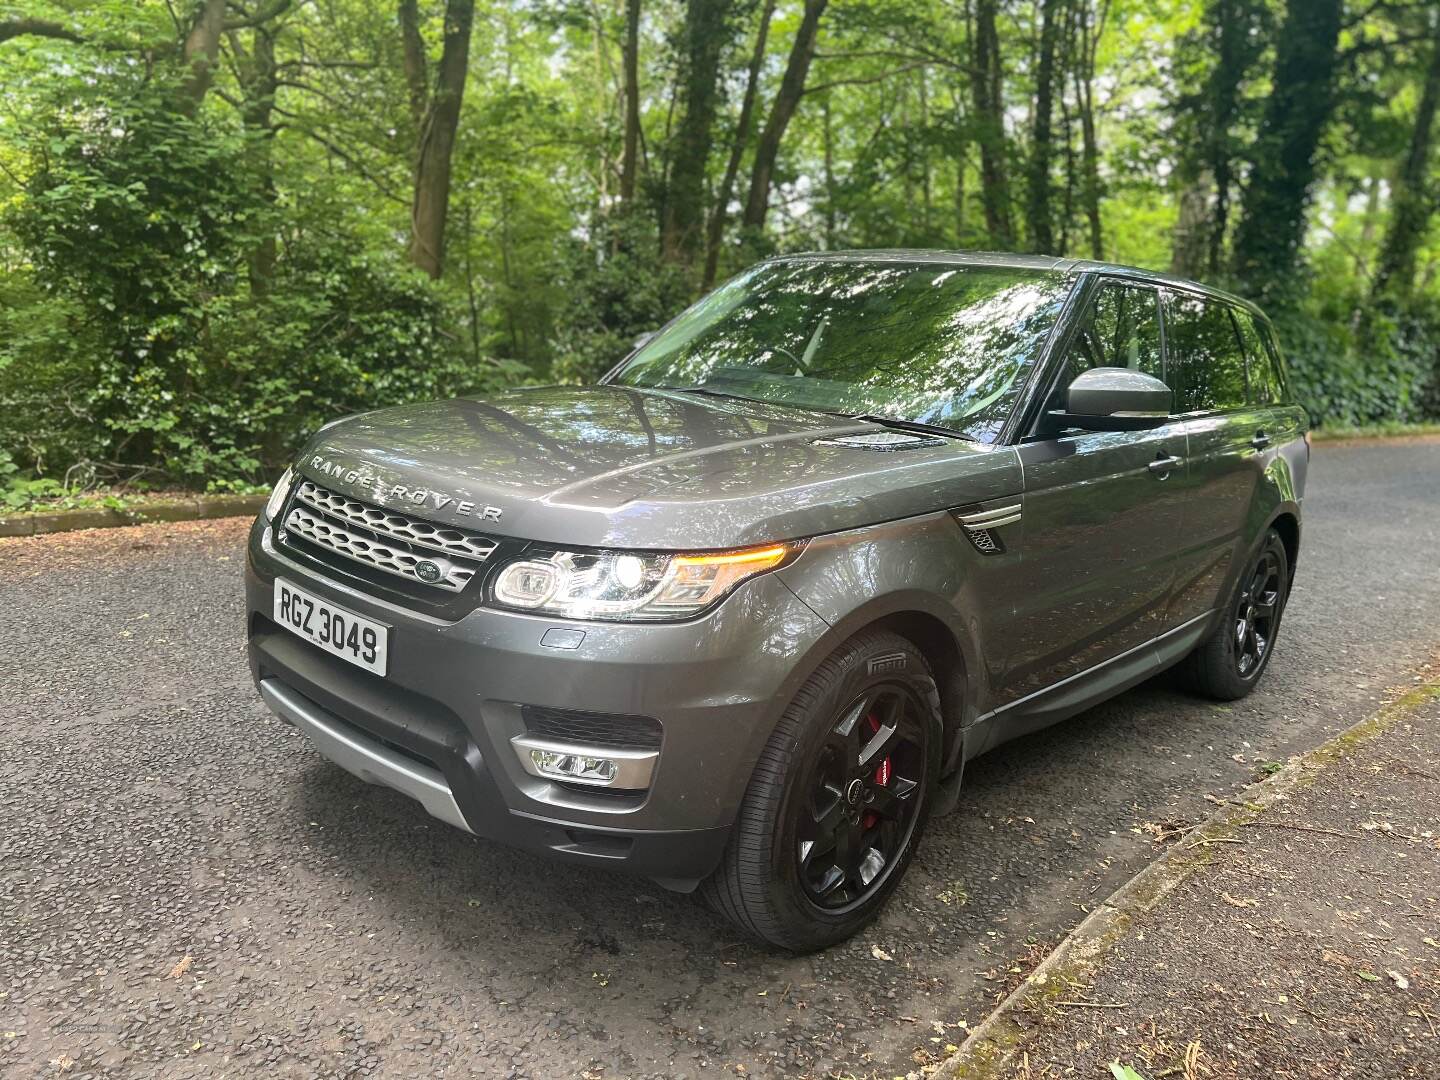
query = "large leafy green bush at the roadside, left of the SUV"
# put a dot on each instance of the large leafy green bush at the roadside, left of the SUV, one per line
(132, 338)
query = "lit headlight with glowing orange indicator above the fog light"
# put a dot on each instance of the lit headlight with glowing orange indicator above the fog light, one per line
(621, 587)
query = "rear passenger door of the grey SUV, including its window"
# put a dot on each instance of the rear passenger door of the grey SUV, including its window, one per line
(1226, 427)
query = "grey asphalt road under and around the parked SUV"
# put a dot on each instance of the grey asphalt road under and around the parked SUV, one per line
(186, 889)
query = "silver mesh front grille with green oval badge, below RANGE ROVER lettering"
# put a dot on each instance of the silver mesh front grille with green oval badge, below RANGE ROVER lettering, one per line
(405, 546)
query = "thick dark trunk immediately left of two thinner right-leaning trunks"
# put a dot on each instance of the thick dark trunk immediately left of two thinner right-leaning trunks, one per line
(705, 38)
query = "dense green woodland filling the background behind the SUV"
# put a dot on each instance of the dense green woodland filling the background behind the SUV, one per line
(224, 222)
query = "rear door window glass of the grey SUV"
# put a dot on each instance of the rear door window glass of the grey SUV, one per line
(1207, 364)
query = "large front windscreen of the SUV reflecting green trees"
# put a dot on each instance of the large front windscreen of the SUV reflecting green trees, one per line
(931, 343)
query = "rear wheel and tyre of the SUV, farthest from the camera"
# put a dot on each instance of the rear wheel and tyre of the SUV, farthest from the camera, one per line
(1230, 662)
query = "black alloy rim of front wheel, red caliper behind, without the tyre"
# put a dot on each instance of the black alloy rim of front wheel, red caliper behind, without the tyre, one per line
(865, 798)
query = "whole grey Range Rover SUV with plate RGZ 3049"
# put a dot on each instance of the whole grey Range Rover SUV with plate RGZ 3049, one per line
(737, 617)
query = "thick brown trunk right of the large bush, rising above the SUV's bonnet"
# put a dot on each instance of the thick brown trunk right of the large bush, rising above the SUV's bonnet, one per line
(437, 142)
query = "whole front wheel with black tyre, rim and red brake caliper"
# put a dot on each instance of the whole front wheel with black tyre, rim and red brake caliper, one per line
(837, 801)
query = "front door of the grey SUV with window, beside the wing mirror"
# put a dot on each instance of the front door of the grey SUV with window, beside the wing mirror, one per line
(1104, 513)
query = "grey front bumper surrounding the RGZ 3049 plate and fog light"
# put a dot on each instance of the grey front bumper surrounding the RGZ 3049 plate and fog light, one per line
(440, 726)
